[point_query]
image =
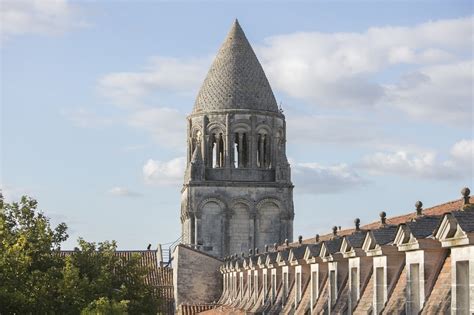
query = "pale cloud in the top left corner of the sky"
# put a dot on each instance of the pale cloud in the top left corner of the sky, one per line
(46, 17)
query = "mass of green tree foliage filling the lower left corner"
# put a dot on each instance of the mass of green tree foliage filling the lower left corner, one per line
(36, 277)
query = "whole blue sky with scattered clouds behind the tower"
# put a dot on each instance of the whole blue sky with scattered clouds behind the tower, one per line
(378, 98)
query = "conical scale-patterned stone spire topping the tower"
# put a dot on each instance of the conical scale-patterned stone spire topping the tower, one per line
(236, 79)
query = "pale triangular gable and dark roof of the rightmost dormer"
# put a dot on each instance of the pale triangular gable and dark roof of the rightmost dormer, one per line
(456, 229)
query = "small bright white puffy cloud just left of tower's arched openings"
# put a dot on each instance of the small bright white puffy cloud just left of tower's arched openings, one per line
(164, 172)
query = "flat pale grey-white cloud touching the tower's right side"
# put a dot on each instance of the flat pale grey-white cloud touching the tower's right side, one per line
(318, 179)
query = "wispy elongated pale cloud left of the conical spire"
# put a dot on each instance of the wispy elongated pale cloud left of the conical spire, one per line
(128, 89)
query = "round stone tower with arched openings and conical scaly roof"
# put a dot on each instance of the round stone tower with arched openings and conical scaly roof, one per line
(237, 192)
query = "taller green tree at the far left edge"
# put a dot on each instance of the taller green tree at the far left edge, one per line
(30, 264)
